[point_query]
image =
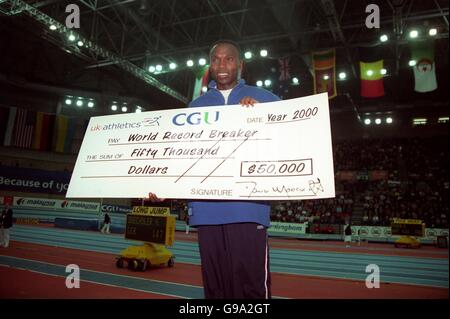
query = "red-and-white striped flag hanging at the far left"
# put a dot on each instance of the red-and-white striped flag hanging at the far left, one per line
(24, 128)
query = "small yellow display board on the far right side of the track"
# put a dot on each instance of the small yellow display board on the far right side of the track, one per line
(409, 230)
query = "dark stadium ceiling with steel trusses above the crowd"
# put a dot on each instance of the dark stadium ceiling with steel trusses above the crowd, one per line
(122, 38)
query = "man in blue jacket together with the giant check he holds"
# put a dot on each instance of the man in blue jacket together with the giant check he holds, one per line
(228, 160)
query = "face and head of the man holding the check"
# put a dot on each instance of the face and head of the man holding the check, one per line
(225, 66)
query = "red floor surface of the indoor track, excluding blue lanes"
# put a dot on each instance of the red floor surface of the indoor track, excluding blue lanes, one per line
(27, 284)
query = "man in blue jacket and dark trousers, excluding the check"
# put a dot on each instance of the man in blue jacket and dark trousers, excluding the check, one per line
(232, 235)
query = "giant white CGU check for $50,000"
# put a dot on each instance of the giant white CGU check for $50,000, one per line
(272, 151)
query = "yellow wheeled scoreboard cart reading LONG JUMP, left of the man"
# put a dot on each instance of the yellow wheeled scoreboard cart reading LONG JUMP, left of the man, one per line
(156, 228)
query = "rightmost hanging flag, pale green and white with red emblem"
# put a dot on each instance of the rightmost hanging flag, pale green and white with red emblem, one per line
(425, 69)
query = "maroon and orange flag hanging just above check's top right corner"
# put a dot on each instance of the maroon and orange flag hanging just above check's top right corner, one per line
(324, 72)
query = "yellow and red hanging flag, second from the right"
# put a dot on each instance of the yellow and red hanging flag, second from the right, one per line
(371, 72)
